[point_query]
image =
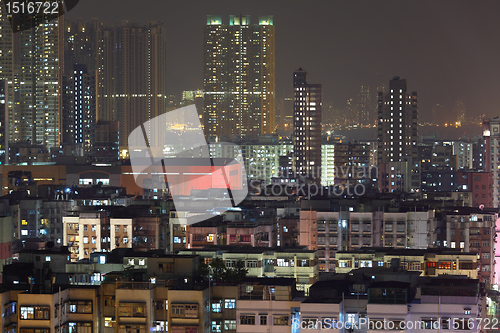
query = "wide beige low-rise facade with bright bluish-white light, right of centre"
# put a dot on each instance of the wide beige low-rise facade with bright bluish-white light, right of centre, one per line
(329, 232)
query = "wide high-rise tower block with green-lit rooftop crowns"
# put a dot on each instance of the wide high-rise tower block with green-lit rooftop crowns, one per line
(239, 77)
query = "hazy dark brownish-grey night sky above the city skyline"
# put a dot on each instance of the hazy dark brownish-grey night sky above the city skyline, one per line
(447, 50)
